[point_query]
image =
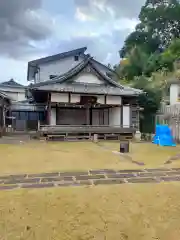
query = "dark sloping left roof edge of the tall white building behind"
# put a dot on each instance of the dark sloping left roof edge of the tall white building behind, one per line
(58, 56)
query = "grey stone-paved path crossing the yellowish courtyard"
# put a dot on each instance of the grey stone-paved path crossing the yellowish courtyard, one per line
(89, 178)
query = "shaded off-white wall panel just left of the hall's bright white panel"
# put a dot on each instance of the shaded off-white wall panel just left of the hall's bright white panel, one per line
(115, 116)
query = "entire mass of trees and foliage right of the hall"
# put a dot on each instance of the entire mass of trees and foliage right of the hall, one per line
(151, 51)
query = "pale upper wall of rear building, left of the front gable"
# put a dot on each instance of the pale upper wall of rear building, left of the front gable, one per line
(56, 68)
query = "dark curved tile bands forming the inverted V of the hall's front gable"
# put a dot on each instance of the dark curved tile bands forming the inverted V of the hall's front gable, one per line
(77, 69)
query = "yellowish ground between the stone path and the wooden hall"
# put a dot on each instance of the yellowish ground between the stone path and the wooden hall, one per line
(36, 156)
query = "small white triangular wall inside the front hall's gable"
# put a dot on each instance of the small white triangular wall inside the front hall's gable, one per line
(87, 78)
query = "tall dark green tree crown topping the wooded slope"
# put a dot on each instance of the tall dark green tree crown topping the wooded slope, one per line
(159, 25)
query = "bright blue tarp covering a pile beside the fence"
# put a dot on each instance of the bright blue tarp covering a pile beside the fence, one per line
(163, 136)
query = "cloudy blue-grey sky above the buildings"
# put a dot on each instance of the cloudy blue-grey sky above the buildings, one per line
(32, 29)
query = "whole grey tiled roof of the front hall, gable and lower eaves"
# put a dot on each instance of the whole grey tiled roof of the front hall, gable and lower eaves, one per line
(110, 86)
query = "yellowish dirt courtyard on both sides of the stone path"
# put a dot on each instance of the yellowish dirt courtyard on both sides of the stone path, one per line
(128, 211)
